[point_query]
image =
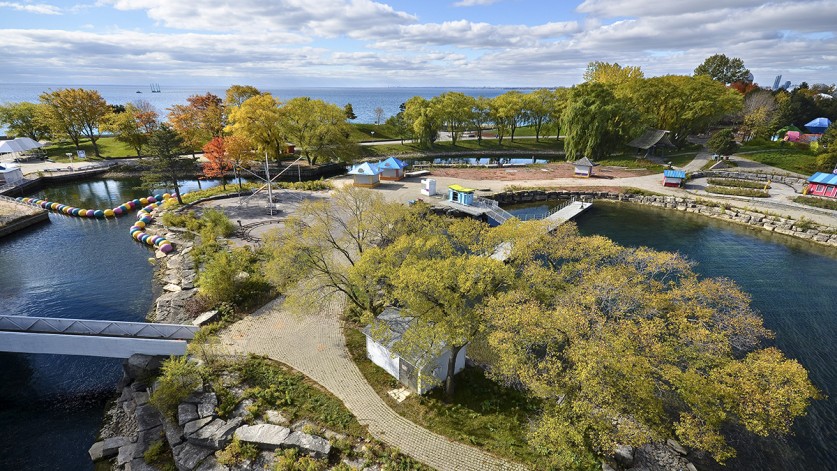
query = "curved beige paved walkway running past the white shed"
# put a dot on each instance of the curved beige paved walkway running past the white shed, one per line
(314, 345)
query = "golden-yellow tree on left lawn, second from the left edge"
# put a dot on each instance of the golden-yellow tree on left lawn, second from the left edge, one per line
(76, 113)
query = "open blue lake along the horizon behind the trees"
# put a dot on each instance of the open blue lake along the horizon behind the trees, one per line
(363, 100)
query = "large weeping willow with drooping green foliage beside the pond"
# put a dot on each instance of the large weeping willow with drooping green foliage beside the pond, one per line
(596, 122)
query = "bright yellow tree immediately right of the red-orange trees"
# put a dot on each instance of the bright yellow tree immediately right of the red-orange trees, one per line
(259, 121)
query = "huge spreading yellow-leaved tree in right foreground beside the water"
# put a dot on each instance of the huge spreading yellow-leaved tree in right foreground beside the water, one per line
(630, 346)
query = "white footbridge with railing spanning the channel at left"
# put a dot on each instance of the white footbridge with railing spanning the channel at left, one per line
(115, 339)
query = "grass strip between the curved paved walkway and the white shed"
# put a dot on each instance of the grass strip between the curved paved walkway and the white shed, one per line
(482, 412)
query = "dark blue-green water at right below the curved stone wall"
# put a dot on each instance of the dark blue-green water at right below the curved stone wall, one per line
(793, 285)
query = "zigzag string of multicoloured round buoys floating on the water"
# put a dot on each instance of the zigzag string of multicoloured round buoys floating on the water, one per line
(144, 216)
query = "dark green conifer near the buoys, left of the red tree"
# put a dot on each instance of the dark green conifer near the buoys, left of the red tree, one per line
(168, 168)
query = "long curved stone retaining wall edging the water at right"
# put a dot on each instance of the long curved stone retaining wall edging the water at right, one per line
(795, 228)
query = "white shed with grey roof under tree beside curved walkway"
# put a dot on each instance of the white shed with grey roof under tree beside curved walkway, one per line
(420, 373)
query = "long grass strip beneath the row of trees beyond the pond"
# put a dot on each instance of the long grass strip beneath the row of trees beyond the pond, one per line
(517, 146)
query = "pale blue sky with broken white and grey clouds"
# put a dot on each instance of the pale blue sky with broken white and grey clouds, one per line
(447, 43)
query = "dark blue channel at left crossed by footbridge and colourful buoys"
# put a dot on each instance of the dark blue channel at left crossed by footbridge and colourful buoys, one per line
(51, 406)
